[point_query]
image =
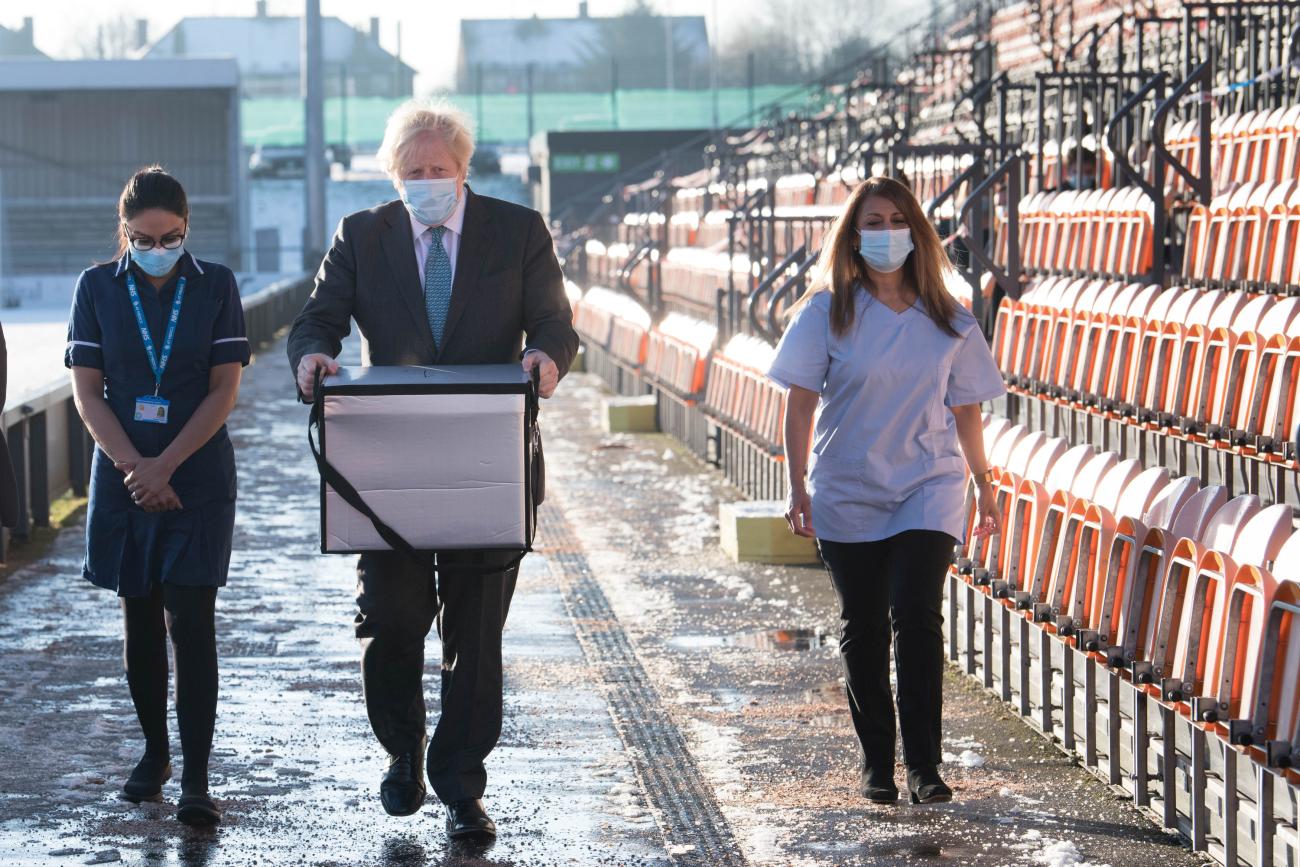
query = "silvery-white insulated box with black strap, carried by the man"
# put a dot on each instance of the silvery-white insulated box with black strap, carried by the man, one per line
(440, 454)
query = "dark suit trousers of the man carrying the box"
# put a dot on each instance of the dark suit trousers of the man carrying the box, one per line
(398, 601)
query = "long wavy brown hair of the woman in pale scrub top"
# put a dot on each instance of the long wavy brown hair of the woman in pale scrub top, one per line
(842, 268)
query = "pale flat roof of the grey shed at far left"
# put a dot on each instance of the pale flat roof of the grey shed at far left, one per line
(37, 75)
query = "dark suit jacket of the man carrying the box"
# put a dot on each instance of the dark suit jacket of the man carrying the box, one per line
(508, 284)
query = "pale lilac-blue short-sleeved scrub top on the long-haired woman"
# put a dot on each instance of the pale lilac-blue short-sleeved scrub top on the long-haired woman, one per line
(886, 457)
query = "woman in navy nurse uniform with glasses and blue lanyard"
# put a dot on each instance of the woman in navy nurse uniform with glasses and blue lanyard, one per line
(157, 346)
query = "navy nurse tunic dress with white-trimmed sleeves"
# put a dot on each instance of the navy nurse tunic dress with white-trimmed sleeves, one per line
(129, 549)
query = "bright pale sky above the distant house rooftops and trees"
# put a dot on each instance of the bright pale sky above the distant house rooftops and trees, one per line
(428, 29)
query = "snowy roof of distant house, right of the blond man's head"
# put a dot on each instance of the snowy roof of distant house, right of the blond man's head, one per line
(570, 42)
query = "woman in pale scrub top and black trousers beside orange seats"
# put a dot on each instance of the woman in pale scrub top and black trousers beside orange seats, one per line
(895, 372)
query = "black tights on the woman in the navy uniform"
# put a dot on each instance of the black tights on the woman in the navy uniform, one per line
(188, 615)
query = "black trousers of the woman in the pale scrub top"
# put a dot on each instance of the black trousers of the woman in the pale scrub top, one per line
(894, 588)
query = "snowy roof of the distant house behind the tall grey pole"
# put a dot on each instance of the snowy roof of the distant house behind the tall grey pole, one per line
(267, 45)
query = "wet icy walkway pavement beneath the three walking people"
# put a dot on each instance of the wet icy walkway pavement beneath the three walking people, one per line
(735, 664)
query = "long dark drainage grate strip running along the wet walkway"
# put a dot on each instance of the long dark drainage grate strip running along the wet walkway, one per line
(692, 823)
